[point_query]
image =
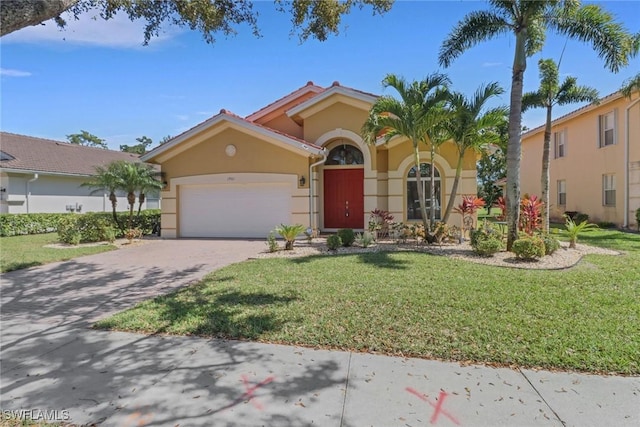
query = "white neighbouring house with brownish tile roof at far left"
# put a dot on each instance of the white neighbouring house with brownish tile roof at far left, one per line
(40, 175)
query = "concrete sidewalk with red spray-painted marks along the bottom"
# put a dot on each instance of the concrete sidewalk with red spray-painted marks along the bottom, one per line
(121, 379)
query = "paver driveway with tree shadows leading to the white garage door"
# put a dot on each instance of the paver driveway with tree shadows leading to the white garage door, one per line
(85, 289)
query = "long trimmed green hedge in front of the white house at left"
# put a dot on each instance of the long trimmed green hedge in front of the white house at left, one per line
(19, 224)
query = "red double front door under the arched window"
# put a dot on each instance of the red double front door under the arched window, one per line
(344, 198)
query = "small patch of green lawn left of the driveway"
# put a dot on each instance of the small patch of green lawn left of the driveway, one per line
(19, 252)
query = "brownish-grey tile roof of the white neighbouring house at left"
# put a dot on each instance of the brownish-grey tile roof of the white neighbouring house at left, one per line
(44, 155)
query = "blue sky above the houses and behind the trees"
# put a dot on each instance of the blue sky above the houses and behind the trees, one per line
(97, 76)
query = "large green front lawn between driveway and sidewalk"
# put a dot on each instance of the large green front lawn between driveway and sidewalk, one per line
(415, 304)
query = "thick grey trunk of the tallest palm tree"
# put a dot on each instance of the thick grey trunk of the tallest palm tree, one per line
(514, 148)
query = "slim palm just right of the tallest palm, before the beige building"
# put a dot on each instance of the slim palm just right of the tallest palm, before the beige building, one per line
(551, 93)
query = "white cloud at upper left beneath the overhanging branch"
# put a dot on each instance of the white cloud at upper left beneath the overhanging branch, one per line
(89, 29)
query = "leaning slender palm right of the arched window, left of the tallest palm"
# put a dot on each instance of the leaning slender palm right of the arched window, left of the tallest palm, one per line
(472, 126)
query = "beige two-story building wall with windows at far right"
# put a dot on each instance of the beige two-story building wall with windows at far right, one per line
(585, 162)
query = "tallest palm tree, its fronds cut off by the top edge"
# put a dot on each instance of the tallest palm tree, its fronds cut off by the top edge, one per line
(529, 21)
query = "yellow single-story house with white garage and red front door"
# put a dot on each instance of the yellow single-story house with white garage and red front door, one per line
(300, 159)
